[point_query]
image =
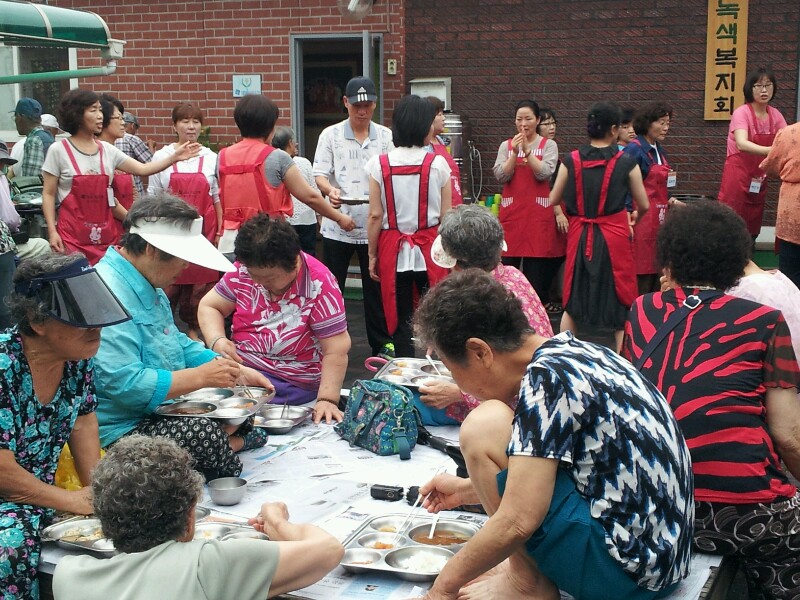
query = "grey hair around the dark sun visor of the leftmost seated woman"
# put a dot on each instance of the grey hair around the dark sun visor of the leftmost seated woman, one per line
(28, 310)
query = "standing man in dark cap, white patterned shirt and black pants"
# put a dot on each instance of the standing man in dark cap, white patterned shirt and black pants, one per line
(342, 152)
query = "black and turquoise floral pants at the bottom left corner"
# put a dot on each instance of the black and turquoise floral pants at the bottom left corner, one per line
(20, 549)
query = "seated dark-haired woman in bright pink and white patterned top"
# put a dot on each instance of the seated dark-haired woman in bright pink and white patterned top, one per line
(288, 317)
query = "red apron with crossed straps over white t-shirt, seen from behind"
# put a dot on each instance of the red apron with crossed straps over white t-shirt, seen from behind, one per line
(390, 240)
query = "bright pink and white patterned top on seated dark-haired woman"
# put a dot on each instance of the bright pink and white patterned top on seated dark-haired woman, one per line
(281, 336)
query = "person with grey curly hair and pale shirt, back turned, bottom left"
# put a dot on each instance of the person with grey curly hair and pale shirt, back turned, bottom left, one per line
(145, 493)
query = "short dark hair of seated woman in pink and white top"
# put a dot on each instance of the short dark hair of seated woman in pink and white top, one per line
(265, 242)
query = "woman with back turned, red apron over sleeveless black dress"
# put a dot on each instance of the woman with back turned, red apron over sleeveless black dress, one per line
(594, 182)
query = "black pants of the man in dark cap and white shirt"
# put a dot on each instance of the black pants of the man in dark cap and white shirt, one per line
(336, 255)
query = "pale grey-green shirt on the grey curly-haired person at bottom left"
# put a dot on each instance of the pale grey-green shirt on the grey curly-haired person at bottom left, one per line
(200, 570)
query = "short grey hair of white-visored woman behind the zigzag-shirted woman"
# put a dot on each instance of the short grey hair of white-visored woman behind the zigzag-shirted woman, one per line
(473, 236)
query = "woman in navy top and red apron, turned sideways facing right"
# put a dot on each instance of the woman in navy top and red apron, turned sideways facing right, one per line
(651, 124)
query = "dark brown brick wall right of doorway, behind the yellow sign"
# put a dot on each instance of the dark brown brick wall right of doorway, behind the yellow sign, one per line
(567, 54)
